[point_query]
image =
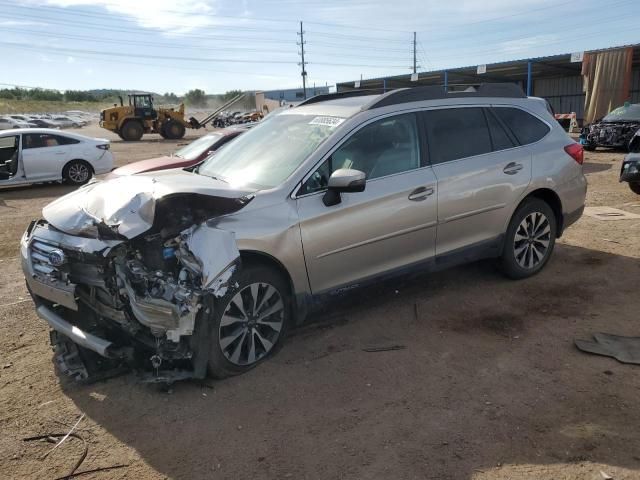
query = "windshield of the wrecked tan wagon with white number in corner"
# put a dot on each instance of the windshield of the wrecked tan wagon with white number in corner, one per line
(267, 154)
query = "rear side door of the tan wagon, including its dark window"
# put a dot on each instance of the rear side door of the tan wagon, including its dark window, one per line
(481, 172)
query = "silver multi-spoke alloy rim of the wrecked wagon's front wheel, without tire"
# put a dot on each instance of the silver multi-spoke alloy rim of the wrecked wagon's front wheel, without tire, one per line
(251, 323)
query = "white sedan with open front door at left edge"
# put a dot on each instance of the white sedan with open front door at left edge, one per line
(43, 154)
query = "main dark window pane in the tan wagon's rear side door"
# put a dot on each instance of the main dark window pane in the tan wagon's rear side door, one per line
(455, 133)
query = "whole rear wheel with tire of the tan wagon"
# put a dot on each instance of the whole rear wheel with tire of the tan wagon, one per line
(529, 240)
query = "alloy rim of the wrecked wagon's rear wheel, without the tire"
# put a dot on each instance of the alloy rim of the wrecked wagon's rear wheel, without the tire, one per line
(531, 240)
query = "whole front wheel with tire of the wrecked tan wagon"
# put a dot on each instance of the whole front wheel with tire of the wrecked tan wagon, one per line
(249, 322)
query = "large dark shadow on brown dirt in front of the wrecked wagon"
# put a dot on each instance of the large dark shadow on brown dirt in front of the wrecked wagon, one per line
(488, 376)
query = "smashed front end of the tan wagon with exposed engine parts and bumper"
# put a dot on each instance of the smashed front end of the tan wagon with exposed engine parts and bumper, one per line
(144, 302)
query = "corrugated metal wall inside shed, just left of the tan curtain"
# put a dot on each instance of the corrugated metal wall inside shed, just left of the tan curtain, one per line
(563, 93)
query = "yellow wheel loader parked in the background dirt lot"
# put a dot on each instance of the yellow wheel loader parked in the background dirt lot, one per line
(132, 121)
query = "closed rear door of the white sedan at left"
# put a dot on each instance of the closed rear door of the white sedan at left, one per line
(44, 155)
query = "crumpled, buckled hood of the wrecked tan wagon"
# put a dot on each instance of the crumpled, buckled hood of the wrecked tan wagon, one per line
(126, 206)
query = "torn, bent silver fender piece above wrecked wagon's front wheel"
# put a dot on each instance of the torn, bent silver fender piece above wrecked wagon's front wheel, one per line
(216, 252)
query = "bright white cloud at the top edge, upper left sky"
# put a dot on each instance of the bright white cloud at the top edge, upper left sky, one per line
(159, 14)
